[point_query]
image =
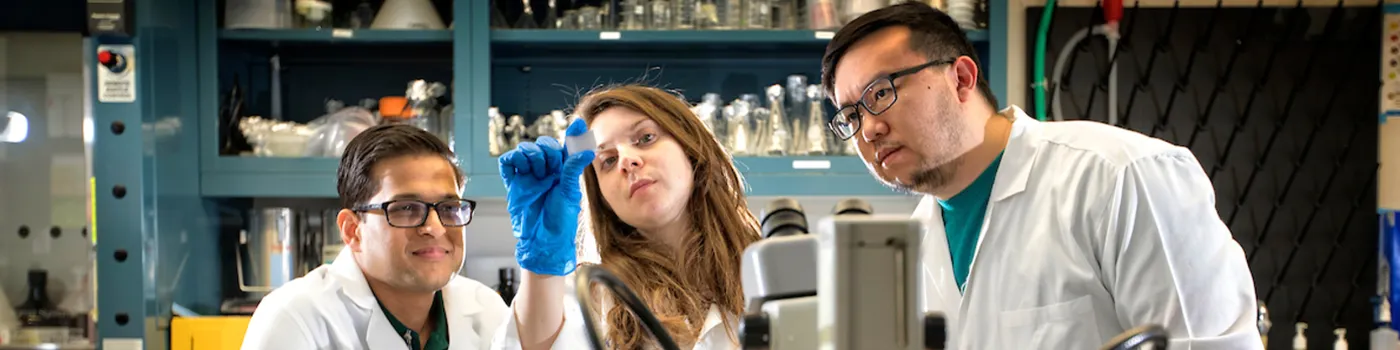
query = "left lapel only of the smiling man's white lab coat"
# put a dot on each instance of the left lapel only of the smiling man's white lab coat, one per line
(379, 334)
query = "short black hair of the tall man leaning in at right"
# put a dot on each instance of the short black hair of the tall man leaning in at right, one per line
(933, 34)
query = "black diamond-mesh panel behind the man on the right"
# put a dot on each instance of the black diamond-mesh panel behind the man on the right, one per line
(1280, 107)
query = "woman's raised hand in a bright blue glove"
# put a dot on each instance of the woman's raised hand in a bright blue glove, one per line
(544, 197)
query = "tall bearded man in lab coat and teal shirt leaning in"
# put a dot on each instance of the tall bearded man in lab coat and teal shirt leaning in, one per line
(1038, 234)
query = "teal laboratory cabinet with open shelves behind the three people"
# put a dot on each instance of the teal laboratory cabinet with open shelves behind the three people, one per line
(170, 180)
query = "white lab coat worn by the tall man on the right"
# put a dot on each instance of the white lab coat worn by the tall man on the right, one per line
(1093, 230)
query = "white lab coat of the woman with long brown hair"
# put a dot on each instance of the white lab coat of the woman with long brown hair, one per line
(713, 335)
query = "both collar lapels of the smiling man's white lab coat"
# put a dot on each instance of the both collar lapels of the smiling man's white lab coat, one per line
(460, 310)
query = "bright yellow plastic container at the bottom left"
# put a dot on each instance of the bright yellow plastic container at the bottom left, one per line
(208, 332)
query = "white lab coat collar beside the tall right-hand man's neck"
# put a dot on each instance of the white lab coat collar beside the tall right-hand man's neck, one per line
(1021, 152)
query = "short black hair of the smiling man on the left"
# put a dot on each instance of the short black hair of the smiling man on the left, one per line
(355, 178)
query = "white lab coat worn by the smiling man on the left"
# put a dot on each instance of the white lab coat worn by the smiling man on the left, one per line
(332, 307)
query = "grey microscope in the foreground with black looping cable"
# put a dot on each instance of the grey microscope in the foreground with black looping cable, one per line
(853, 285)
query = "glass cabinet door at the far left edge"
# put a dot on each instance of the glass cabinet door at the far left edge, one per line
(47, 267)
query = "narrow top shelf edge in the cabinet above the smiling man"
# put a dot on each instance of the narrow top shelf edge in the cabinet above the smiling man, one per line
(338, 36)
